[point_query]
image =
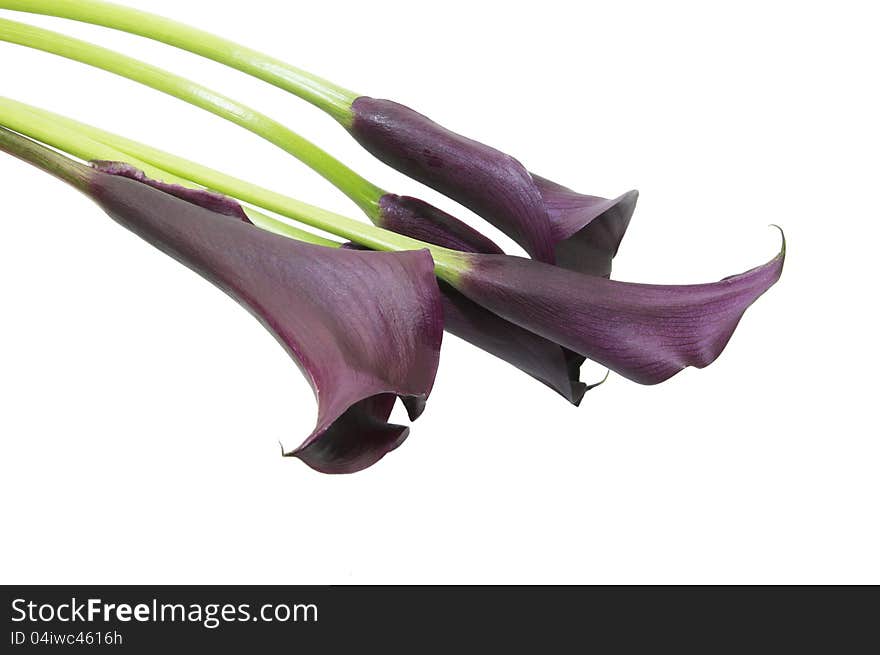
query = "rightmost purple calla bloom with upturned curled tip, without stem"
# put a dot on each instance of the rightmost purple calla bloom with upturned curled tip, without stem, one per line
(645, 332)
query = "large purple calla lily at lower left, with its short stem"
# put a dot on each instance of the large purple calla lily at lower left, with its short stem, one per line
(364, 327)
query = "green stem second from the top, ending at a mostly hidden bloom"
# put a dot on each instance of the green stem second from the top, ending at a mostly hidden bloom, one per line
(365, 194)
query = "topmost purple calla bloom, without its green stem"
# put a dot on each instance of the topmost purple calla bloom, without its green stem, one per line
(548, 220)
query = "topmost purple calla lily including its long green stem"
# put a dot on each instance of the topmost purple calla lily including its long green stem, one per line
(551, 222)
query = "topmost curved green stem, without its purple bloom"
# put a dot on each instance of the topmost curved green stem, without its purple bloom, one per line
(325, 95)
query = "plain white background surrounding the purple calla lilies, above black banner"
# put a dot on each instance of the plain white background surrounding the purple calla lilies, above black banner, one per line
(141, 409)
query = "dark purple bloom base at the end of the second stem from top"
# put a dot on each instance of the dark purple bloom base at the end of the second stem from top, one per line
(419, 220)
